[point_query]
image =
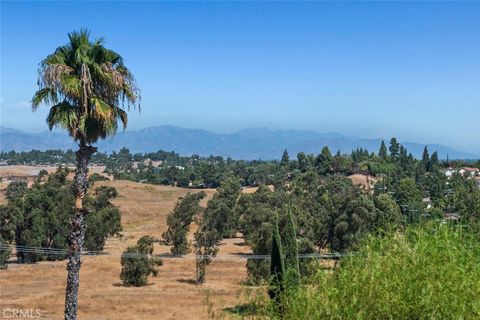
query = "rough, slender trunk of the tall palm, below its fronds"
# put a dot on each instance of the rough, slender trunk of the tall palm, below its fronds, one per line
(77, 230)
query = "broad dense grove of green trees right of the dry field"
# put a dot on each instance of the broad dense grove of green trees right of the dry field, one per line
(328, 211)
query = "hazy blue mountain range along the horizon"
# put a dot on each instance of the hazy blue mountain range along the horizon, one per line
(247, 144)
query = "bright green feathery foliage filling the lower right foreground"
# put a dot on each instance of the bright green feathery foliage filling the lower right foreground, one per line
(420, 274)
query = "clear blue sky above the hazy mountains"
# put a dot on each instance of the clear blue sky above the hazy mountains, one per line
(371, 69)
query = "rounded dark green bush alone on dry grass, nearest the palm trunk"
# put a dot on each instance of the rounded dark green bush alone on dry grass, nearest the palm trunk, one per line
(138, 264)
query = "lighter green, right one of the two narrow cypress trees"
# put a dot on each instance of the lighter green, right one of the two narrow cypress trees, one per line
(291, 252)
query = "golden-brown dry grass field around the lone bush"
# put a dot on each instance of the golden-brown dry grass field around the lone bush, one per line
(171, 295)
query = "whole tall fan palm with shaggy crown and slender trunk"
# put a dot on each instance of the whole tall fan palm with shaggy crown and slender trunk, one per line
(88, 90)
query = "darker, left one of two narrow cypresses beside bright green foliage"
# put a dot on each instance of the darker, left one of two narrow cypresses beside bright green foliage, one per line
(277, 269)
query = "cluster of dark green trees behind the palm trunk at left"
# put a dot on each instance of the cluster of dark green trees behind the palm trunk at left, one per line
(39, 217)
